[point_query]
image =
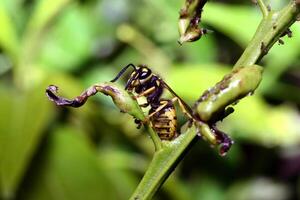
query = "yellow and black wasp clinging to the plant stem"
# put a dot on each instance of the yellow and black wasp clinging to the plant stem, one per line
(162, 114)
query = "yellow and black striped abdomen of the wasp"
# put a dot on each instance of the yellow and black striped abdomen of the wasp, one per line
(164, 123)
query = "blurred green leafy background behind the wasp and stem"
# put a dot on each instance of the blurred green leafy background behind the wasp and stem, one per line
(96, 152)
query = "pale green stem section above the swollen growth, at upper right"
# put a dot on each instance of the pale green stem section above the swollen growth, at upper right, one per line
(268, 32)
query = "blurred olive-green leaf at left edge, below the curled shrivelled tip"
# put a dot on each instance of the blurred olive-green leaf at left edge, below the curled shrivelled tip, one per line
(20, 133)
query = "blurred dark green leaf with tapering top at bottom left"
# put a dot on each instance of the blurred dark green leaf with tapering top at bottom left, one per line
(59, 174)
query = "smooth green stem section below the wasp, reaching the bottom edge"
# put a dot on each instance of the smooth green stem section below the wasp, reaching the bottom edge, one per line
(163, 163)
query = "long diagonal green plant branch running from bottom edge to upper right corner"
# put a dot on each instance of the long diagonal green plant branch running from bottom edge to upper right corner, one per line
(273, 26)
